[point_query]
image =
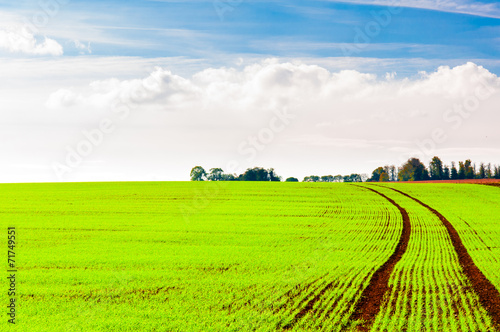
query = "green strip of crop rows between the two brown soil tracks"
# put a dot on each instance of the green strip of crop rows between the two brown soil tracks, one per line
(429, 291)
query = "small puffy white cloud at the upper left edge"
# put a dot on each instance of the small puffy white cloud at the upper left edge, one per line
(20, 40)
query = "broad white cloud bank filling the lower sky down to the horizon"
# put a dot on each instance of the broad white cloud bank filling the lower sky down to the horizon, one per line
(343, 118)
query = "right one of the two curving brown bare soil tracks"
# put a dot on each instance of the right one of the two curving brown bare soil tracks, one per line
(489, 296)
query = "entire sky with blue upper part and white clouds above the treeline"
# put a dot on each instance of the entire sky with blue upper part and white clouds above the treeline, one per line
(146, 90)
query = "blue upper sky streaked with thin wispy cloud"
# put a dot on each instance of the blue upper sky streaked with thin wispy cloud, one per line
(277, 28)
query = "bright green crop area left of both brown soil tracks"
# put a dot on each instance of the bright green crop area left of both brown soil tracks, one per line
(190, 256)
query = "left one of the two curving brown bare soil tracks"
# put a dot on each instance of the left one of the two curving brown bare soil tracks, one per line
(369, 303)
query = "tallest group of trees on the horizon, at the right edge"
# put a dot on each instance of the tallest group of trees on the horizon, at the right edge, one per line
(415, 170)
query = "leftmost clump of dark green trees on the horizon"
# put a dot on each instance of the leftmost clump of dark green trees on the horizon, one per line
(198, 173)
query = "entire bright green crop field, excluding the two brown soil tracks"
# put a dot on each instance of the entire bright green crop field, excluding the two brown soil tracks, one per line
(243, 256)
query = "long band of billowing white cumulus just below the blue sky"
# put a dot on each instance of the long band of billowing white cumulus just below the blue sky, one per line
(271, 84)
